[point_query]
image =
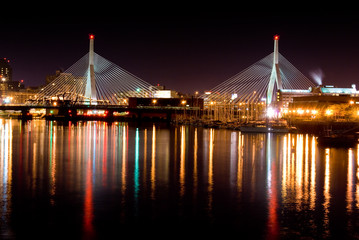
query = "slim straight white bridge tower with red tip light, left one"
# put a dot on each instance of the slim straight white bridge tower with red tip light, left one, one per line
(90, 92)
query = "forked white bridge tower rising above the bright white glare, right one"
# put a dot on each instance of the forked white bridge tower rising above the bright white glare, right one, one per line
(275, 75)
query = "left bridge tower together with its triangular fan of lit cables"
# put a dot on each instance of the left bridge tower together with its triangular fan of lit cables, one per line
(95, 80)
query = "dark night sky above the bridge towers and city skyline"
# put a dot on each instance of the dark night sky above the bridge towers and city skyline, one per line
(185, 51)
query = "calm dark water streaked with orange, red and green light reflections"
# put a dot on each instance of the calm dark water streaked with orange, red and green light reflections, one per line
(96, 180)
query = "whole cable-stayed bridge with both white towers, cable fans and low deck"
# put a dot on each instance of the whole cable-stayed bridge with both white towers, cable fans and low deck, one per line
(94, 82)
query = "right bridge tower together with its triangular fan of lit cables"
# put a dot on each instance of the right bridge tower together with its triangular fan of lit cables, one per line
(259, 82)
